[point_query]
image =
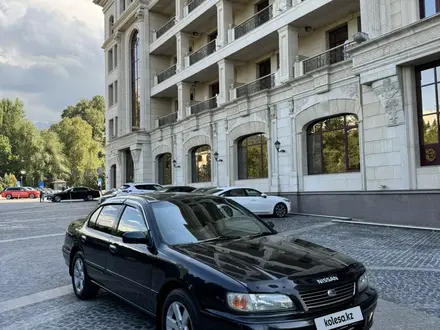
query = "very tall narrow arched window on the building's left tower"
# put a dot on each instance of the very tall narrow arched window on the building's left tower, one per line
(135, 80)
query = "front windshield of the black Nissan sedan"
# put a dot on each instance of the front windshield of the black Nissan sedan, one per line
(192, 220)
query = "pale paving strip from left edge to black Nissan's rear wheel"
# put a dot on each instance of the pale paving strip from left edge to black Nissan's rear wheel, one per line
(34, 298)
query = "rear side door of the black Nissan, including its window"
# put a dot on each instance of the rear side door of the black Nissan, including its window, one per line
(96, 241)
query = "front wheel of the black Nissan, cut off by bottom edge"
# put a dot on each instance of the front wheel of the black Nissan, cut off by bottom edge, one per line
(180, 299)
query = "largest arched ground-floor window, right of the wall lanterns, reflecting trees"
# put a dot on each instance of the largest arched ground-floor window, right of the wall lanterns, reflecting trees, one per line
(333, 145)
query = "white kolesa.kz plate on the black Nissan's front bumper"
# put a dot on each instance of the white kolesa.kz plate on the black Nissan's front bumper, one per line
(340, 319)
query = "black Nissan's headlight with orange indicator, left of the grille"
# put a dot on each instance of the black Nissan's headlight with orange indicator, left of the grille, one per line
(260, 302)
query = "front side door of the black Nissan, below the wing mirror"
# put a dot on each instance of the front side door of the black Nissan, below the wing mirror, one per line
(130, 265)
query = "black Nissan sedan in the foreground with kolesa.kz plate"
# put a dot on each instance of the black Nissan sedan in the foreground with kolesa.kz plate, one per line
(200, 262)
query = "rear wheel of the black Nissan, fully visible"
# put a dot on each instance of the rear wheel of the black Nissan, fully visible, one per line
(82, 286)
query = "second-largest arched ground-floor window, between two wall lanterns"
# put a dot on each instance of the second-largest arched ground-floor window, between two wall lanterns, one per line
(252, 157)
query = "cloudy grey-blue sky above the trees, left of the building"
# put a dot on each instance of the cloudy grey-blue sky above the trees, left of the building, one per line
(50, 54)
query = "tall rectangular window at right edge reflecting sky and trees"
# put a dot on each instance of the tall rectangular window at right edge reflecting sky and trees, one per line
(428, 104)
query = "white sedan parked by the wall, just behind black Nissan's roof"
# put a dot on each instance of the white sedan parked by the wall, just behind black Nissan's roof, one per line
(254, 200)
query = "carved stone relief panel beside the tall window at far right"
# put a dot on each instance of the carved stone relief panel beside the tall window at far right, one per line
(390, 96)
